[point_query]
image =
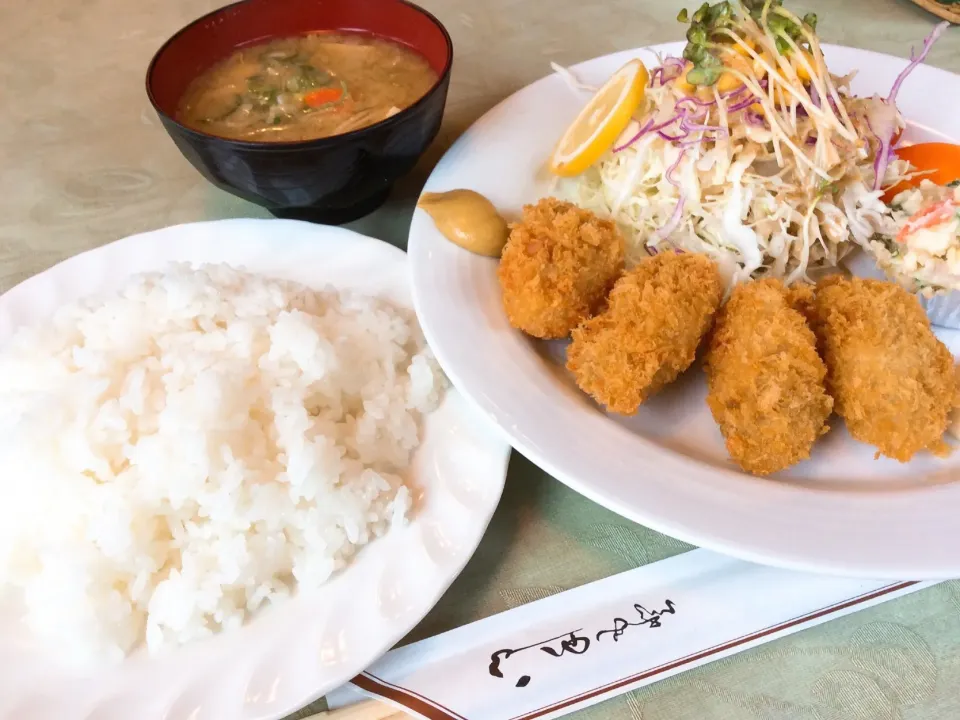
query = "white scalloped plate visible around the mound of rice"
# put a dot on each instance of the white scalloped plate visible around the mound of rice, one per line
(293, 653)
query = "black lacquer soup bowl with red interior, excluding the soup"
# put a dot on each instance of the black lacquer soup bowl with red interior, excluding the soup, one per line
(329, 180)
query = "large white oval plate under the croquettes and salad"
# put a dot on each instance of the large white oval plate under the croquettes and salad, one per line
(667, 468)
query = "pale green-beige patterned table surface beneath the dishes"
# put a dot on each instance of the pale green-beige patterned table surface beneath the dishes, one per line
(85, 161)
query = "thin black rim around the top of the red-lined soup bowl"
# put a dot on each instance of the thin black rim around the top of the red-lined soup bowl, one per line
(299, 144)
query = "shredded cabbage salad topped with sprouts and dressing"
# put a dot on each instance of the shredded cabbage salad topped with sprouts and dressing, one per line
(749, 150)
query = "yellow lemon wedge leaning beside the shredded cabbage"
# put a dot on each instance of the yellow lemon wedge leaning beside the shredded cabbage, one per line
(600, 123)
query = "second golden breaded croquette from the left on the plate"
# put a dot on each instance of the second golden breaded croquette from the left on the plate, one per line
(656, 316)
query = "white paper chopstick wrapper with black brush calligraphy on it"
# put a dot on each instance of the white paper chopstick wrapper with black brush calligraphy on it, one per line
(579, 647)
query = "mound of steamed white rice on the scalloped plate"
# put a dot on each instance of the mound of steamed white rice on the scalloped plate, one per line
(176, 455)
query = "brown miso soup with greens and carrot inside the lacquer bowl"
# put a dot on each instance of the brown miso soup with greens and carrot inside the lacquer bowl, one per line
(305, 87)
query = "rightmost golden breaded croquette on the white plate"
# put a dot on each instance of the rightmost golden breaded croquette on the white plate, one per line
(892, 379)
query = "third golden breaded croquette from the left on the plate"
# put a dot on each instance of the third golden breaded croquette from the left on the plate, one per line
(765, 378)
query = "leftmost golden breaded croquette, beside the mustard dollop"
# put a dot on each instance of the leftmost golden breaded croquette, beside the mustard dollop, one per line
(557, 268)
